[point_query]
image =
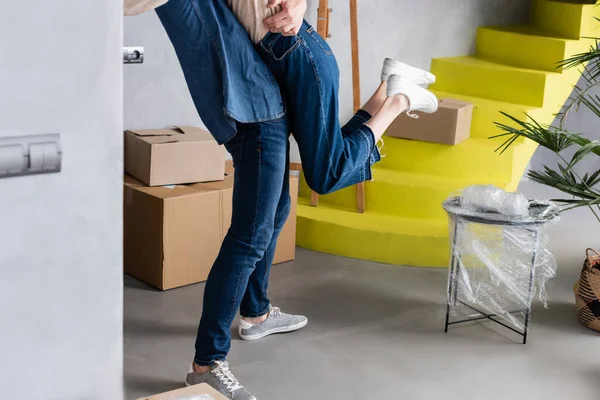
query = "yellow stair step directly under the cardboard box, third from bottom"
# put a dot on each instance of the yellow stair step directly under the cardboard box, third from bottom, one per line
(475, 158)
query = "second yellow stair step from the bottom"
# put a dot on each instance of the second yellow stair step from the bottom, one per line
(403, 194)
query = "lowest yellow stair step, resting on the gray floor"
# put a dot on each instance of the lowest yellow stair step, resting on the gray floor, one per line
(371, 236)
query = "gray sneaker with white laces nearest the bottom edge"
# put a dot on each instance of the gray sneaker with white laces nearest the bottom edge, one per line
(222, 380)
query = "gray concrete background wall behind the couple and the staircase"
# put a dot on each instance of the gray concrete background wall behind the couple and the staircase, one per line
(408, 30)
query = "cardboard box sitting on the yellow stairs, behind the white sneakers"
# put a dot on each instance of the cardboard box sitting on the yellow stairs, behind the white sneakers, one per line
(451, 124)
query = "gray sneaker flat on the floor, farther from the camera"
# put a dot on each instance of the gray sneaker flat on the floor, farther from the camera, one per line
(276, 322)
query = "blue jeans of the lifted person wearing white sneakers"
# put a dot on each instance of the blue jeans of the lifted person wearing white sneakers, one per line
(333, 157)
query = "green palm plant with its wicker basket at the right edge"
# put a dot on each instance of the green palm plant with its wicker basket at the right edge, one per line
(580, 189)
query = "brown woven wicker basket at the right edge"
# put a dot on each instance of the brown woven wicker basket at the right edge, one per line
(587, 292)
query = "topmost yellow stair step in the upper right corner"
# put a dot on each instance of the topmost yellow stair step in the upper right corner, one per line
(563, 19)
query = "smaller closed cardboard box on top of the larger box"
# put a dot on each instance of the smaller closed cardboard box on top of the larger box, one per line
(173, 156)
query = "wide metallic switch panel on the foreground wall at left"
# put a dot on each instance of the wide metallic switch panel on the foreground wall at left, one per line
(30, 155)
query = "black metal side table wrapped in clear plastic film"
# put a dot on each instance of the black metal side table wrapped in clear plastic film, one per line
(496, 261)
